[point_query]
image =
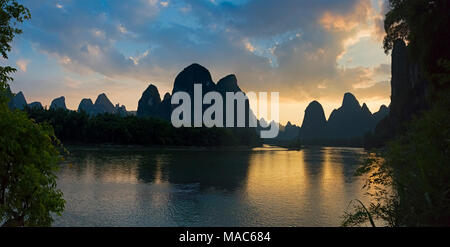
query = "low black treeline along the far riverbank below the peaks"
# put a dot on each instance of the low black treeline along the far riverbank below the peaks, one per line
(73, 127)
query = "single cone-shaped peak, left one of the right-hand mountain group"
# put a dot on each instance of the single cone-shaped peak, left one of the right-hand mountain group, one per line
(314, 122)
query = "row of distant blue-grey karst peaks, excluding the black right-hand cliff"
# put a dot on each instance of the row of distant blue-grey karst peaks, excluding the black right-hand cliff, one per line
(351, 120)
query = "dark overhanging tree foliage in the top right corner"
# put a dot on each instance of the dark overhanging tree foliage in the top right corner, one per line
(423, 24)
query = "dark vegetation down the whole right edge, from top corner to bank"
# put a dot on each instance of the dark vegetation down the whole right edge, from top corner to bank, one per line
(409, 179)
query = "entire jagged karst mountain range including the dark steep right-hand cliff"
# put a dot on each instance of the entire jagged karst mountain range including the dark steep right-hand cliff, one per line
(349, 122)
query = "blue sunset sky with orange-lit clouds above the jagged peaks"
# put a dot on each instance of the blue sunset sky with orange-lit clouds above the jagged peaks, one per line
(306, 50)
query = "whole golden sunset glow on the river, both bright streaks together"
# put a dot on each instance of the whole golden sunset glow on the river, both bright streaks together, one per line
(295, 183)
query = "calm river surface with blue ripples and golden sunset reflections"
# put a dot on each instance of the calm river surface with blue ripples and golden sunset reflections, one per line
(207, 187)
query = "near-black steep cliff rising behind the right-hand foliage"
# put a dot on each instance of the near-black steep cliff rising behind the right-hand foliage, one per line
(408, 96)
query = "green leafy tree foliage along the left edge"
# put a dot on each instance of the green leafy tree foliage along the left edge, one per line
(28, 156)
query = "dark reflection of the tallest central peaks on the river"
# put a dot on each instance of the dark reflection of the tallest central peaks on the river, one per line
(208, 168)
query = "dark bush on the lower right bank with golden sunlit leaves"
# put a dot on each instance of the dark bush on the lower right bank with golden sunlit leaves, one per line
(409, 179)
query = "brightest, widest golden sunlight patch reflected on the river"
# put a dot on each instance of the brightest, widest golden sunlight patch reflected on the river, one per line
(276, 179)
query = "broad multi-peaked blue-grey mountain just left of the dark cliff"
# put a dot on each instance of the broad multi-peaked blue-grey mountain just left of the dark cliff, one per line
(350, 120)
